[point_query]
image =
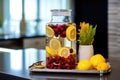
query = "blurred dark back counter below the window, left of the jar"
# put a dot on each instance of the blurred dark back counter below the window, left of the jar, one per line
(17, 41)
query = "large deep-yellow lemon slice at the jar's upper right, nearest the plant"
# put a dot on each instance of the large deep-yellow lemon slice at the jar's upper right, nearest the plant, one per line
(71, 33)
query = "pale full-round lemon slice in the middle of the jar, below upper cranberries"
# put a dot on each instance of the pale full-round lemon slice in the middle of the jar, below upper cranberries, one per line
(55, 44)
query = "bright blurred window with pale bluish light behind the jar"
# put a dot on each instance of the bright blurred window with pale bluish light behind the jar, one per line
(36, 13)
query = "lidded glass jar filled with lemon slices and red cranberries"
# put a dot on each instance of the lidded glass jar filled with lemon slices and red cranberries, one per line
(61, 40)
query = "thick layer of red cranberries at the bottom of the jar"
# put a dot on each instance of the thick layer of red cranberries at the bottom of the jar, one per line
(59, 62)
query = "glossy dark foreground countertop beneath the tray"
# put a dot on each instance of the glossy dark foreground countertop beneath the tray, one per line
(15, 63)
